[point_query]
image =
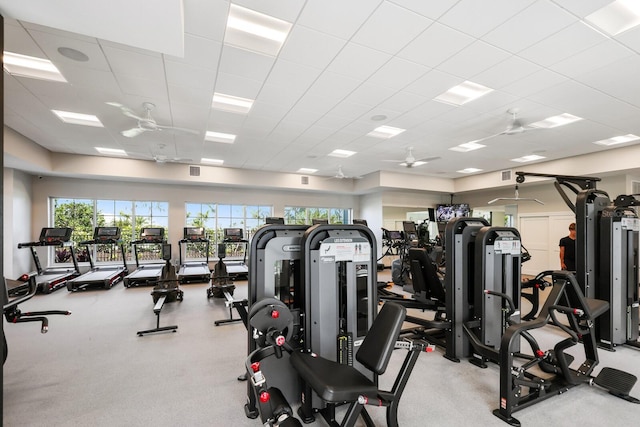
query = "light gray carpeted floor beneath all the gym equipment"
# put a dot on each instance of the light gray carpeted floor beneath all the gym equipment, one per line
(91, 369)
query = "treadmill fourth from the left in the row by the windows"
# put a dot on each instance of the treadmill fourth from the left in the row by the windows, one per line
(197, 270)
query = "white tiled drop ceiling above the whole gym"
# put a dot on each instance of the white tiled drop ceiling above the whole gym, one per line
(345, 68)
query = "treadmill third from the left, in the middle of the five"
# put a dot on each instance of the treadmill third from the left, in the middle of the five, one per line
(150, 272)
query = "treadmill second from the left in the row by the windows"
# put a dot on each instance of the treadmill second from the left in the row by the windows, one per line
(105, 275)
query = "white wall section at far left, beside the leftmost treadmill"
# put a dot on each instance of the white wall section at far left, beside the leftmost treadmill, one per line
(17, 200)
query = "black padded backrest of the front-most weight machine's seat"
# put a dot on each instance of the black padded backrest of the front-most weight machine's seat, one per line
(377, 346)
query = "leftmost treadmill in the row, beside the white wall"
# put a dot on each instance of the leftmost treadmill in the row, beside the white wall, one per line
(49, 279)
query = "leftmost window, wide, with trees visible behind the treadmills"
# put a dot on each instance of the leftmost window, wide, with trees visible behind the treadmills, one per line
(83, 215)
